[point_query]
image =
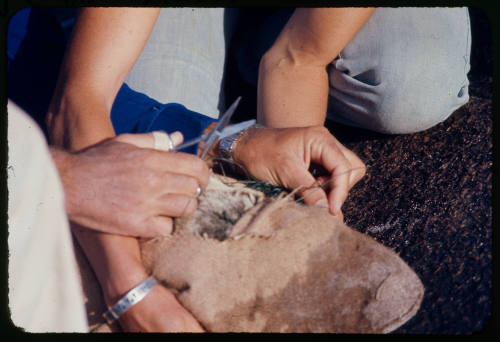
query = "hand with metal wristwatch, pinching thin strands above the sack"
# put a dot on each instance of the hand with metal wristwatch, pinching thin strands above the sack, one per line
(284, 156)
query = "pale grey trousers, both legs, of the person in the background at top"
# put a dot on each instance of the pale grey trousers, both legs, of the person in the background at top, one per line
(405, 70)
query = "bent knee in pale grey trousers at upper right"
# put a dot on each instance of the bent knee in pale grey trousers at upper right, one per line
(411, 77)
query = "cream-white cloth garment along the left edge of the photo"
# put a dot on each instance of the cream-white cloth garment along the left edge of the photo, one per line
(45, 292)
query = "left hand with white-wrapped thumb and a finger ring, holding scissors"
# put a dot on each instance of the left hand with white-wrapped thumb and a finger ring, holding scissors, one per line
(124, 186)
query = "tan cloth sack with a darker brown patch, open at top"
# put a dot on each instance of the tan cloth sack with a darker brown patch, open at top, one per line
(247, 263)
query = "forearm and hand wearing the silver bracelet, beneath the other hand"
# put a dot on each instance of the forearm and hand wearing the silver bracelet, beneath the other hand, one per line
(119, 271)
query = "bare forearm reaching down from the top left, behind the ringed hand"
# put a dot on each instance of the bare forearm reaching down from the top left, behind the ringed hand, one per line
(106, 43)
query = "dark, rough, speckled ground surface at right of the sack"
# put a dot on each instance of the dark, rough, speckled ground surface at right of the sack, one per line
(428, 196)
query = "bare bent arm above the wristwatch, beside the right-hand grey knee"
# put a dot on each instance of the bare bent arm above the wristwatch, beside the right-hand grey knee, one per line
(293, 79)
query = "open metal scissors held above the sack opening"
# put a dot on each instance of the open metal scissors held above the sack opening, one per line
(220, 131)
